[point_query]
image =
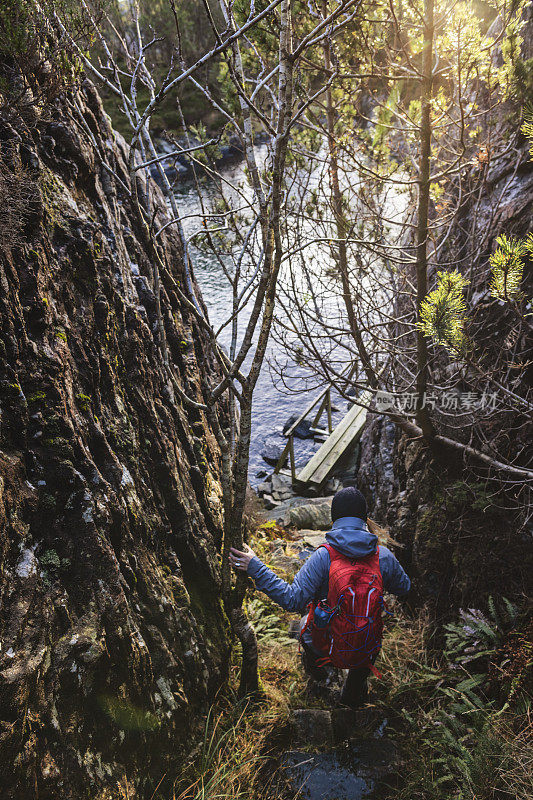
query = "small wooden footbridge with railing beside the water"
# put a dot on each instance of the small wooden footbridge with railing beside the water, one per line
(336, 442)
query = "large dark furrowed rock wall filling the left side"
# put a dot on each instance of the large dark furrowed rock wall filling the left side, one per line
(113, 638)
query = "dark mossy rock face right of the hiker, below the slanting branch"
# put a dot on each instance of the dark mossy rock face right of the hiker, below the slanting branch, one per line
(457, 543)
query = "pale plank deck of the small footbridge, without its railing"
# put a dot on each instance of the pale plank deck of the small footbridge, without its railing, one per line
(347, 431)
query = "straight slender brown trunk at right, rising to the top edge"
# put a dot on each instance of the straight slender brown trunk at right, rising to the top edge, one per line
(422, 414)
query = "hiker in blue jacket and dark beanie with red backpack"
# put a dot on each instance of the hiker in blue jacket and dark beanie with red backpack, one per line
(333, 633)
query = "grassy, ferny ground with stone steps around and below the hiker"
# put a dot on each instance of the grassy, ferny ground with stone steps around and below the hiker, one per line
(452, 725)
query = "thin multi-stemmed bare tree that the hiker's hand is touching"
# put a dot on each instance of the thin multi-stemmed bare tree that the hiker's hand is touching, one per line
(243, 228)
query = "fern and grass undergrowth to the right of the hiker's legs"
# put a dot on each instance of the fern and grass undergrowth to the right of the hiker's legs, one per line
(462, 720)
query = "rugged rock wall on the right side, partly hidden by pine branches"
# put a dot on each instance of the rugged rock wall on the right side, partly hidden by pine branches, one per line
(463, 537)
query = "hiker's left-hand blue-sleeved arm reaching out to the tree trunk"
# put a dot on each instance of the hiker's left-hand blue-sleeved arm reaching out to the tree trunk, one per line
(291, 596)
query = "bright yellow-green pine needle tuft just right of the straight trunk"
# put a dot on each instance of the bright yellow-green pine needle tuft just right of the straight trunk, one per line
(442, 313)
